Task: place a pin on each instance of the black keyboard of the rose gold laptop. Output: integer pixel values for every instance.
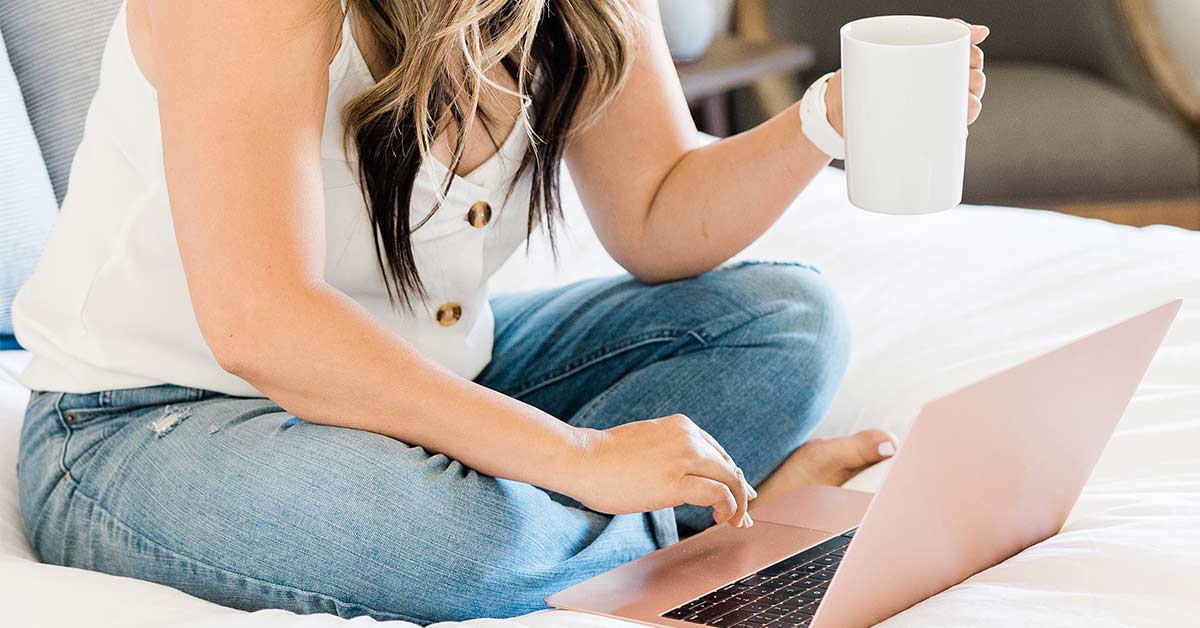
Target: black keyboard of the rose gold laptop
(784, 595)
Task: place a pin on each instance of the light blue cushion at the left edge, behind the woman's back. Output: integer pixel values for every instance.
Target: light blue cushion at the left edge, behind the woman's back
(27, 201)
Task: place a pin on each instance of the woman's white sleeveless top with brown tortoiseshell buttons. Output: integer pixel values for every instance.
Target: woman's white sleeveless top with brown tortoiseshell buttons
(107, 307)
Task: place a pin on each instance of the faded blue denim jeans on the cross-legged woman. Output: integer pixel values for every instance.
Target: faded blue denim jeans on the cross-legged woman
(238, 503)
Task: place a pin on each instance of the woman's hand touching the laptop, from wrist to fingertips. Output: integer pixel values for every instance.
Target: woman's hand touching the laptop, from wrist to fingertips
(657, 464)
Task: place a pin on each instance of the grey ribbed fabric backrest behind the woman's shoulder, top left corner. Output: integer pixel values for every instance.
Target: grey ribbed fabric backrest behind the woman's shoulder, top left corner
(56, 50)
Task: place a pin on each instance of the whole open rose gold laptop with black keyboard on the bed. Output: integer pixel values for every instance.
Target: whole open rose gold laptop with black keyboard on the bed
(985, 474)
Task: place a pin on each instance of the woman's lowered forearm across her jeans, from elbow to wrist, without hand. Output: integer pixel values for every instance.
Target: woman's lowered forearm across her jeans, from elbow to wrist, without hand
(350, 372)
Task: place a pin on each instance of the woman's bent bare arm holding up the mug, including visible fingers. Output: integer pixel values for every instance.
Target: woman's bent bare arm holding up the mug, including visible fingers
(667, 207)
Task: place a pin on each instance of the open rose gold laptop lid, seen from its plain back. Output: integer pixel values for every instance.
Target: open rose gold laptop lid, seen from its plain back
(989, 471)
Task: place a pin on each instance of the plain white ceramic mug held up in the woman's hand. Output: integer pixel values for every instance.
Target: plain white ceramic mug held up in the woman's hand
(905, 112)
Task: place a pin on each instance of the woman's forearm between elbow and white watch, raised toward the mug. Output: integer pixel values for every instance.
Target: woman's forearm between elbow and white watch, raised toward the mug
(721, 198)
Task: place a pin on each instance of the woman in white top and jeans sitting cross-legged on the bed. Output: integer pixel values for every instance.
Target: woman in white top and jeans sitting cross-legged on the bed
(268, 370)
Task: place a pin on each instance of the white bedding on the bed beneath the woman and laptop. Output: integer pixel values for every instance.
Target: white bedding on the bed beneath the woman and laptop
(935, 303)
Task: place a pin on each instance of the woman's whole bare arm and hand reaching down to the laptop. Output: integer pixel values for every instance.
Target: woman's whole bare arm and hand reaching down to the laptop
(242, 97)
